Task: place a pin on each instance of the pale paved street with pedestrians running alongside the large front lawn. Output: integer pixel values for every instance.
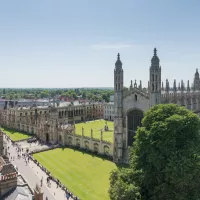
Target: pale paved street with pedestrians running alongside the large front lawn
(33, 174)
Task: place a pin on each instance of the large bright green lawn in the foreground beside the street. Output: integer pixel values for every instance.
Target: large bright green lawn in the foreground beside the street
(84, 175)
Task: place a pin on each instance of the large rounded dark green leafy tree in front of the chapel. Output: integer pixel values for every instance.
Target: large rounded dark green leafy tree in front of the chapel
(165, 157)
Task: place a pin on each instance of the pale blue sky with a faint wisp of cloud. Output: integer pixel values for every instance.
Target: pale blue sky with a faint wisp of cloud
(74, 43)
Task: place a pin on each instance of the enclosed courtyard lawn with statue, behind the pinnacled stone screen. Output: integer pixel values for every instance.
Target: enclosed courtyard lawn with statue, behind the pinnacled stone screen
(96, 126)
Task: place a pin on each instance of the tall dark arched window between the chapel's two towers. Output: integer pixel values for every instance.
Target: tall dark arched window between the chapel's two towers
(134, 117)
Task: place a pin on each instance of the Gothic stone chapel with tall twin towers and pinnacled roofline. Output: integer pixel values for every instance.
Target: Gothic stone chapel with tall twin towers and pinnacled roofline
(131, 103)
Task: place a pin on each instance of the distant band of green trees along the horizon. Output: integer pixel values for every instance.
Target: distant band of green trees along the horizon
(96, 94)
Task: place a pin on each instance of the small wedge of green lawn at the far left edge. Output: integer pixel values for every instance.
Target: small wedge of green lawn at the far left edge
(15, 135)
